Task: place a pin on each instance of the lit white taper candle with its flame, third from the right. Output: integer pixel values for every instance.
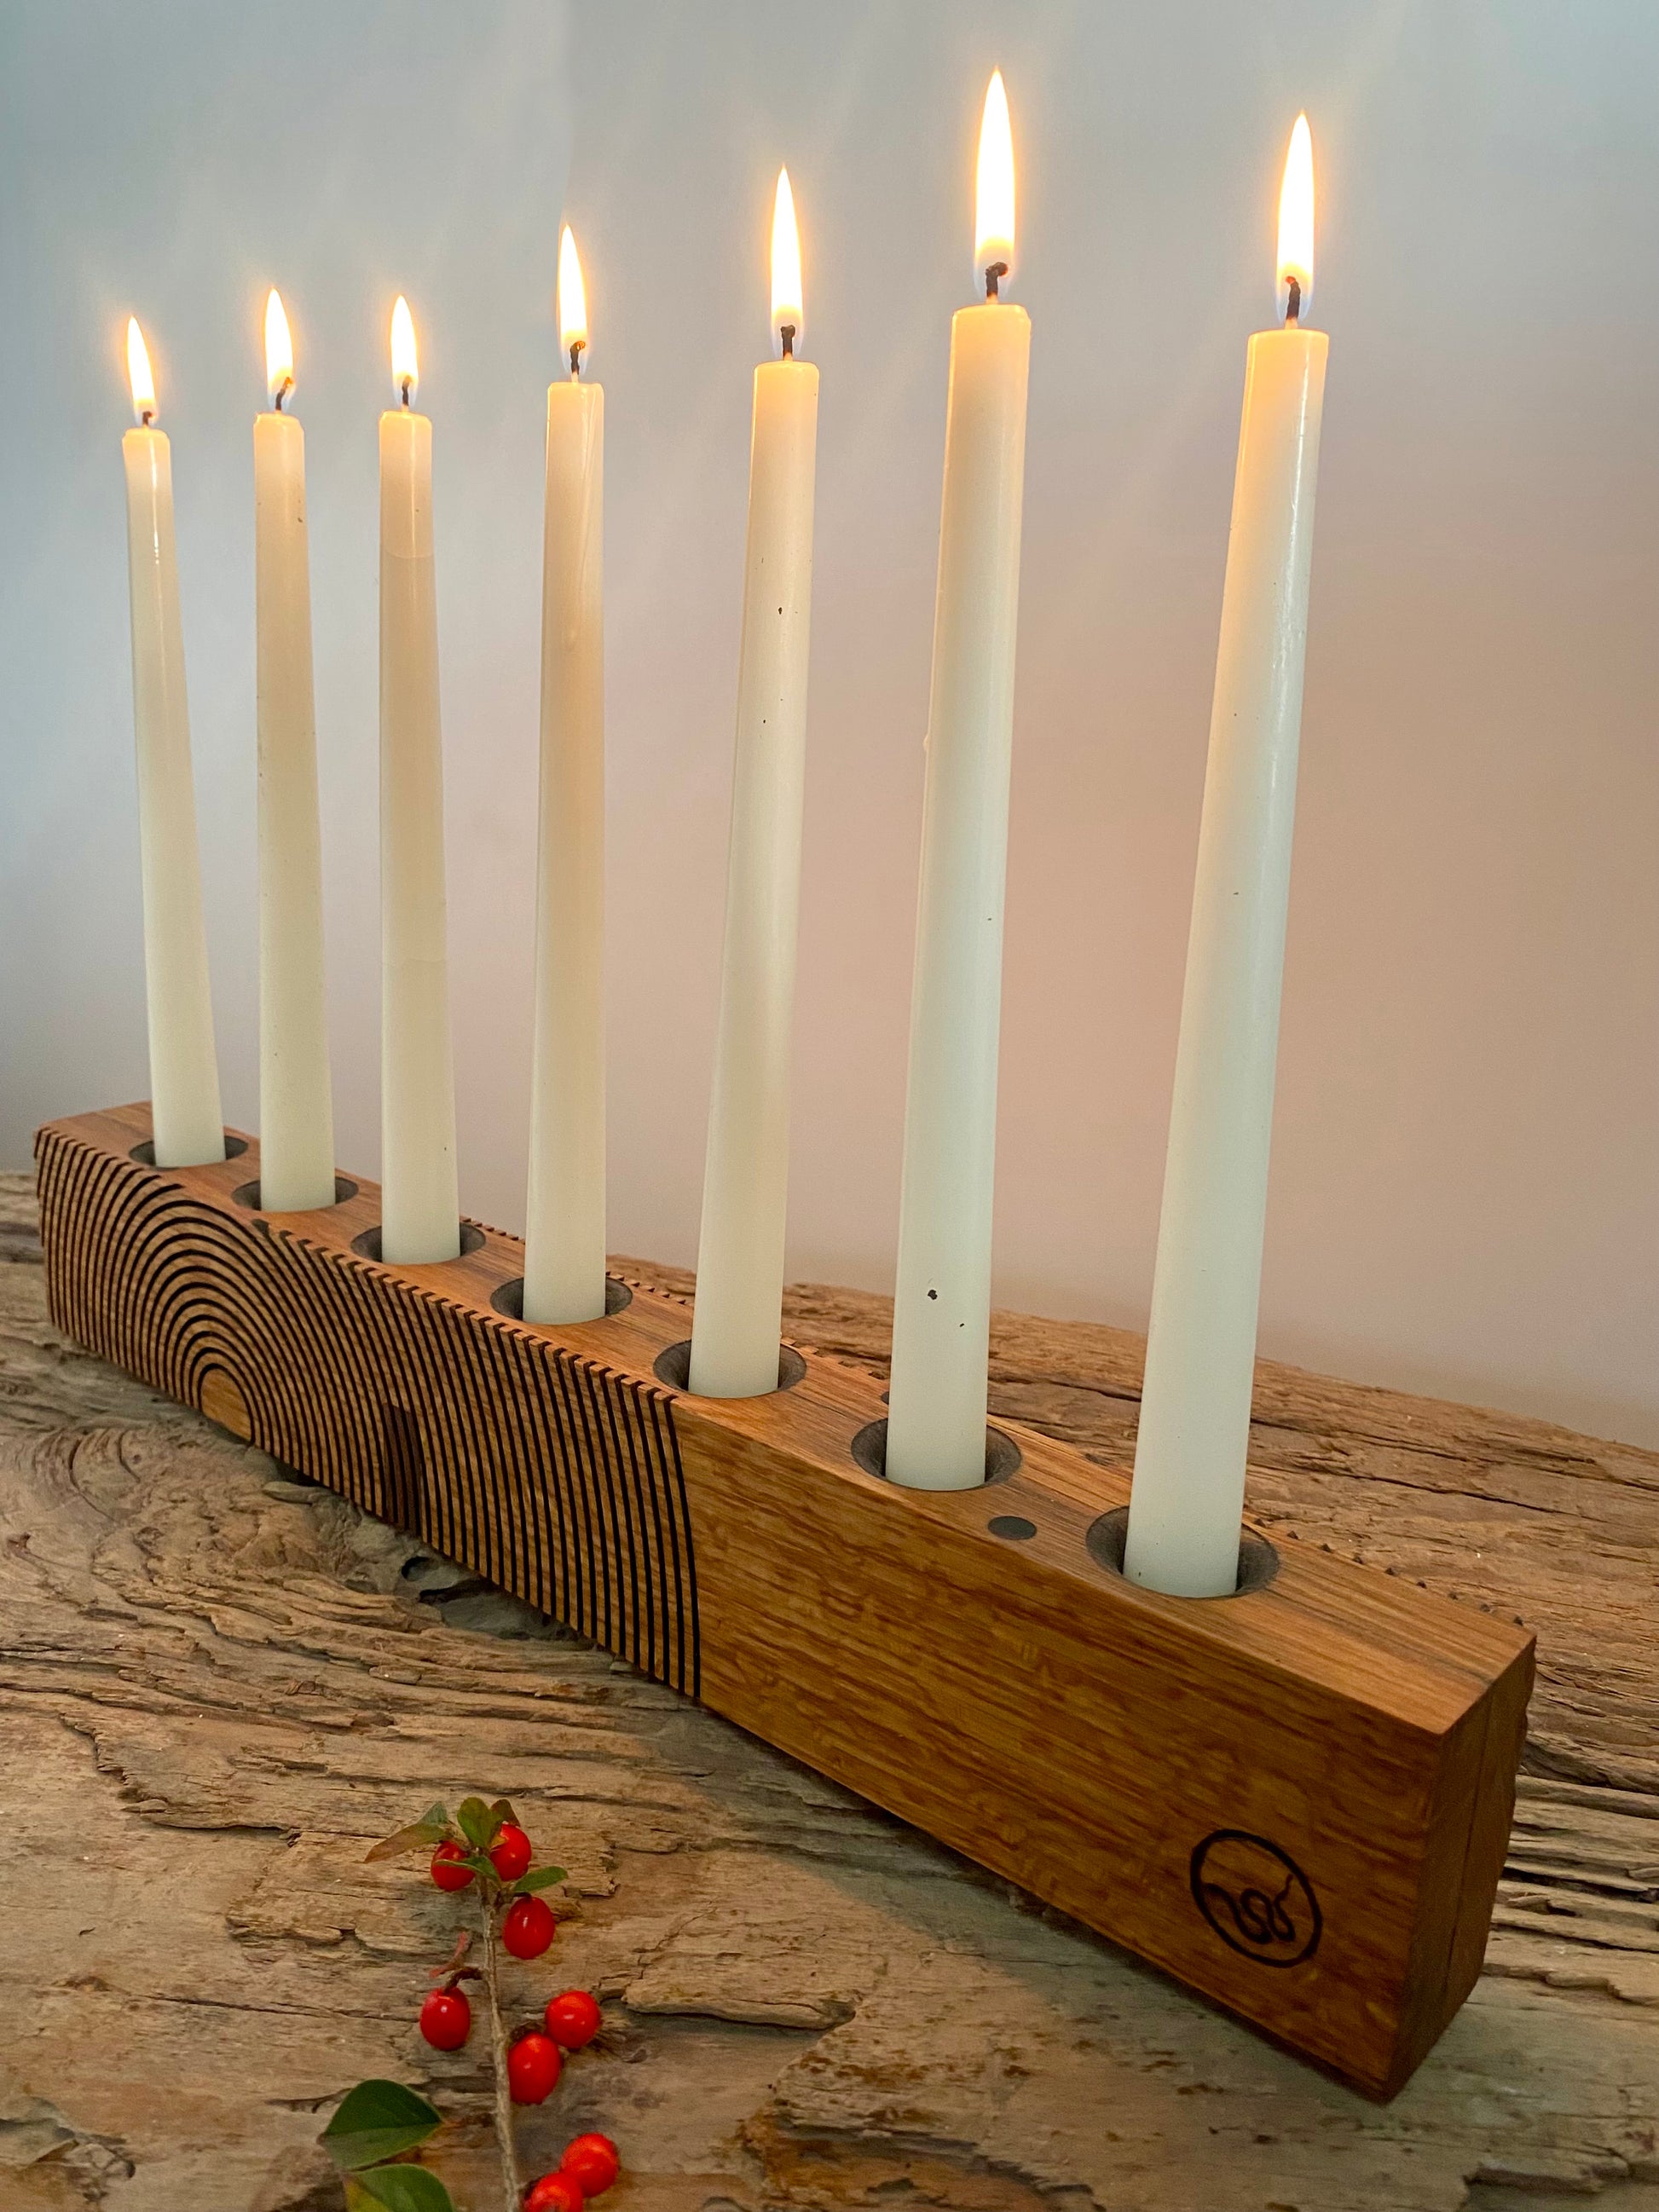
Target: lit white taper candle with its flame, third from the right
(747, 1178)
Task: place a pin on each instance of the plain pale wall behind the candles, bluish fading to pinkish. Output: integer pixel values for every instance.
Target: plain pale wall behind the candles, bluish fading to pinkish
(1468, 1147)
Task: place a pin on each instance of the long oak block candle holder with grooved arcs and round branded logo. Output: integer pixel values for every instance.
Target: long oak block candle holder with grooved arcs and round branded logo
(1295, 1799)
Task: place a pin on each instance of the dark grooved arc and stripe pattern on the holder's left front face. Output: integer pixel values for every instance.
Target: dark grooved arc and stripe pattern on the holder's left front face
(543, 1472)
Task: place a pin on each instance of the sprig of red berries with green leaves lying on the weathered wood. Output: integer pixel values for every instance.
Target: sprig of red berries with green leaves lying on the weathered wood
(379, 2125)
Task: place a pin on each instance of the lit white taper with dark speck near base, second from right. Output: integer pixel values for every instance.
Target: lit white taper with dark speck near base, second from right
(943, 1288)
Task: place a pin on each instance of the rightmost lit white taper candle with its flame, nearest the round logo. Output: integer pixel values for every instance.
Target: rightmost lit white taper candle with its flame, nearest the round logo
(1202, 1342)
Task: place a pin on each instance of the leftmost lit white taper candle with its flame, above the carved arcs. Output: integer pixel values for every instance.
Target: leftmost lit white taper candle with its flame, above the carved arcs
(185, 1070)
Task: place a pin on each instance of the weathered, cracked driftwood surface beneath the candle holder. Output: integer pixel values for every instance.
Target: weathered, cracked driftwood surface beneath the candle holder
(220, 1684)
